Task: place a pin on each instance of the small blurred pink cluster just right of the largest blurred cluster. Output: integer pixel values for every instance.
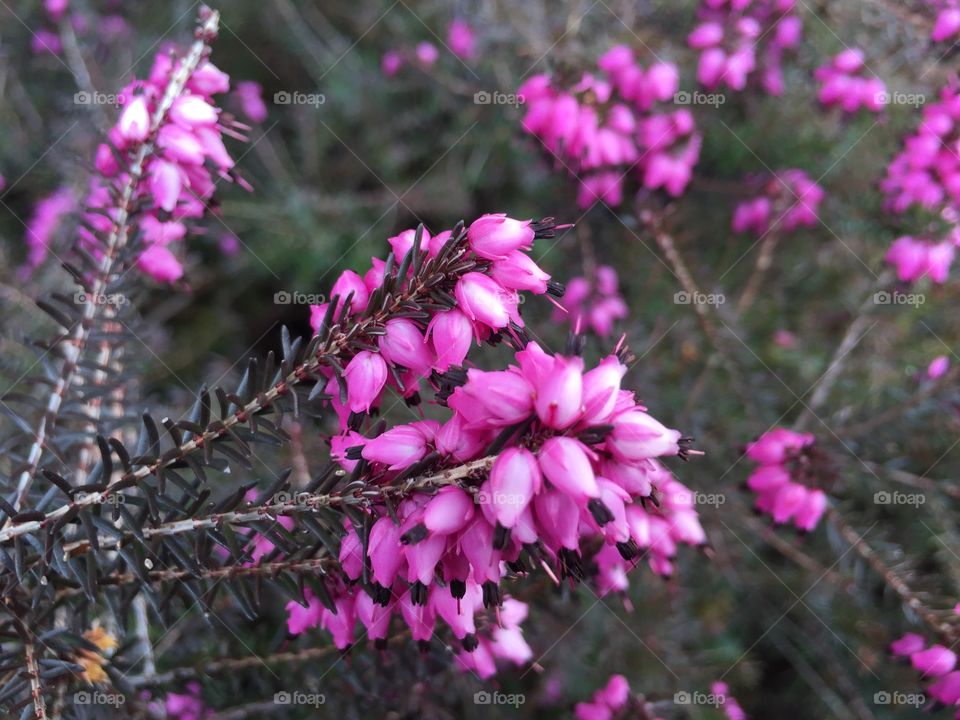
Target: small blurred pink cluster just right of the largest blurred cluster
(791, 197)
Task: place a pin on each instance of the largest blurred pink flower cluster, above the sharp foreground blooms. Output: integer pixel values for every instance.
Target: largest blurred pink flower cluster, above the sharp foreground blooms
(602, 128)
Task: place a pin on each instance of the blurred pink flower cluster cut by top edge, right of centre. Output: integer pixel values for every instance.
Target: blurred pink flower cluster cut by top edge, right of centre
(738, 37)
